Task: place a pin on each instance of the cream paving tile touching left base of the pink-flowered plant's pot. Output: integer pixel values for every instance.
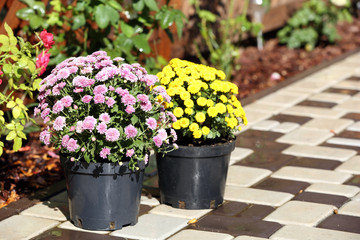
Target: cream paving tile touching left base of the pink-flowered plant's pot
(46, 210)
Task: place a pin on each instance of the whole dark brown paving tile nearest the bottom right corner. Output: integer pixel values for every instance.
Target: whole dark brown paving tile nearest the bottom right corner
(334, 200)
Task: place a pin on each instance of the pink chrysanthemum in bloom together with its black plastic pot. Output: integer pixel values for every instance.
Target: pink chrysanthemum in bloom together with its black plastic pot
(105, 116)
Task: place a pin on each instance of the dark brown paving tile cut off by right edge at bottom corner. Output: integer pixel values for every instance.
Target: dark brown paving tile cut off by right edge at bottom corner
(341, 223)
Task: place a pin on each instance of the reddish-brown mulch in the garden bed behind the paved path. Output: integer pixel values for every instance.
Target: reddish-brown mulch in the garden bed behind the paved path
(36, 166)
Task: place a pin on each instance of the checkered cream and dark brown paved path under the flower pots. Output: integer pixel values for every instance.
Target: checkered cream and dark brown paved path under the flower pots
(294, 175)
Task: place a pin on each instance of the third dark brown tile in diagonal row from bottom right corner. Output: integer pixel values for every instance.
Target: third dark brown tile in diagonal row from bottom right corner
(280, 185)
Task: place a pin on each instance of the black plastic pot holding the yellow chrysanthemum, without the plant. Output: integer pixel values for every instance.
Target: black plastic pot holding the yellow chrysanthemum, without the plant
(194, 177)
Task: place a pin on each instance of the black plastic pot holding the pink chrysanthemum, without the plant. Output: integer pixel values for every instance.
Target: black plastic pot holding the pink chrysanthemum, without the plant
(102, 196)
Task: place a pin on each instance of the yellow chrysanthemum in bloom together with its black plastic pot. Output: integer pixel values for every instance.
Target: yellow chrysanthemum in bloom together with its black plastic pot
(208, 115)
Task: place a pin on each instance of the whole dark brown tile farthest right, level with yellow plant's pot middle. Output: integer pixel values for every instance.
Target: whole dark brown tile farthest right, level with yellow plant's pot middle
(314, 163)
